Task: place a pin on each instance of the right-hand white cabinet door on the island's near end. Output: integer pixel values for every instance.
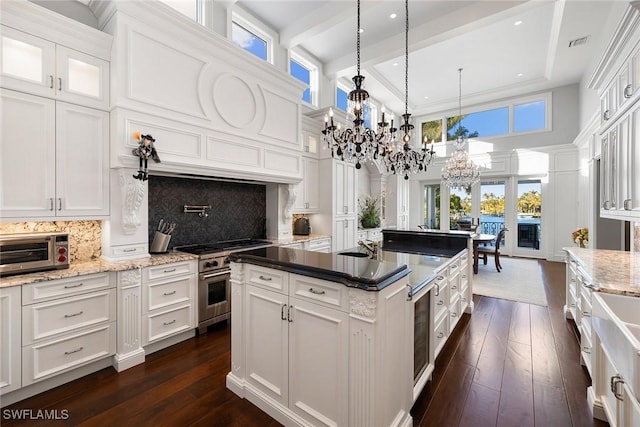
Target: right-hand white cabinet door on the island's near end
(318, 363)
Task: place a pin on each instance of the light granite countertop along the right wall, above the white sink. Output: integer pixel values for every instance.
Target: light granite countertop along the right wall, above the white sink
(615, 272)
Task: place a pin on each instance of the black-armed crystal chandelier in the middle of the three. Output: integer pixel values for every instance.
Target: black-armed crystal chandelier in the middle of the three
(400, 157)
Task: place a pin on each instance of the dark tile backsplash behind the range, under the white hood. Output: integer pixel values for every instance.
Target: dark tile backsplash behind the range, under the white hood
(237, 209)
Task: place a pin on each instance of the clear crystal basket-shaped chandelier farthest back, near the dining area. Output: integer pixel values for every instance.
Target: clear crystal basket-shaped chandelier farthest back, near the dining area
(460, 171)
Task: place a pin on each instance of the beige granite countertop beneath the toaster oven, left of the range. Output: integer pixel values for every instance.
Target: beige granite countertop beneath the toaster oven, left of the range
(94, 266)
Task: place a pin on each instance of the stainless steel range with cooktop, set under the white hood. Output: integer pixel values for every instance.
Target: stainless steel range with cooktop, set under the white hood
(214, 287)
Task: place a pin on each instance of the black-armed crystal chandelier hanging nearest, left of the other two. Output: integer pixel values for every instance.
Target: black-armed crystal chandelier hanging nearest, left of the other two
(357, 143)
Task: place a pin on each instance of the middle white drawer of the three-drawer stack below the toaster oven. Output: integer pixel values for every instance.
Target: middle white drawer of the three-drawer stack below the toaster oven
(44, 320)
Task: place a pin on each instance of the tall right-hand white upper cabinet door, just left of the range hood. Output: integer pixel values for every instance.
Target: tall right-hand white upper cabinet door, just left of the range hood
(82, 161)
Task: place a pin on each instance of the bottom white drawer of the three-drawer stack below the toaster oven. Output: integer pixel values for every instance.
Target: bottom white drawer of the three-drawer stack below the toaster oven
(43, 360)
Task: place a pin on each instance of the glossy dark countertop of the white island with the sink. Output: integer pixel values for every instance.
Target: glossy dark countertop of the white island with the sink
(371, 274)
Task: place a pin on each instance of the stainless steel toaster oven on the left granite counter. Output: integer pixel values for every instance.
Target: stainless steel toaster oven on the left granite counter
(31, 252)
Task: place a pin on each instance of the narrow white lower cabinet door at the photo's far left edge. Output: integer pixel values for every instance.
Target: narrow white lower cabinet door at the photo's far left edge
(10, 340)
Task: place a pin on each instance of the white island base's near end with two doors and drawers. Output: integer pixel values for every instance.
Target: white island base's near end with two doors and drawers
(318, 353)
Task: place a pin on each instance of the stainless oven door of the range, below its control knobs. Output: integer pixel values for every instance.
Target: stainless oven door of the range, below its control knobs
(214, 297)
